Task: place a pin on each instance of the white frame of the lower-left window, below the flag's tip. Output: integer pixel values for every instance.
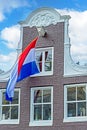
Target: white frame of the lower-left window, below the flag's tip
(9, 121)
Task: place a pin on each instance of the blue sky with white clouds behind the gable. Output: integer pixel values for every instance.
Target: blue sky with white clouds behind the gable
(13, 11)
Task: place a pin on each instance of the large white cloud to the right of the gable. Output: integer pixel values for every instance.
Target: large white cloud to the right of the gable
(78, 34)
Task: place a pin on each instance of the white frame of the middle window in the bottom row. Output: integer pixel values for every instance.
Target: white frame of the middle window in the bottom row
(41, 122)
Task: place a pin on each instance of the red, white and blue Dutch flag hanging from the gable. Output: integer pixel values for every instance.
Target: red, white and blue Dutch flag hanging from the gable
(24, 67)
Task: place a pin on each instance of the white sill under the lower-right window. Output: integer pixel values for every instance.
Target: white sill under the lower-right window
(75, 119)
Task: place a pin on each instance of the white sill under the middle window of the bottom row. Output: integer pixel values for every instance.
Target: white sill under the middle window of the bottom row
(41, 123)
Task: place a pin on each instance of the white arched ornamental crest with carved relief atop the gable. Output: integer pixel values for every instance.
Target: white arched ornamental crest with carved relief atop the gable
(43, 17)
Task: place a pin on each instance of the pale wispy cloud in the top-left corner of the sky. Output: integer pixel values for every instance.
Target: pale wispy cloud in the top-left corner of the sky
(6, 6)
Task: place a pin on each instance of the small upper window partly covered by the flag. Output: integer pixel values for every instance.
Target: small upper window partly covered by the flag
(44, 59)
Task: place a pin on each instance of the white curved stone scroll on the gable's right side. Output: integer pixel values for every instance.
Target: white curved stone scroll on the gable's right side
(70, 68)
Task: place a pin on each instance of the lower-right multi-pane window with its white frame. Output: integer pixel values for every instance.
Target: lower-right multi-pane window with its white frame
(75, 102)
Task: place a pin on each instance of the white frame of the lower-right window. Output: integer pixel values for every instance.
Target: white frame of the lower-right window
(76, 118)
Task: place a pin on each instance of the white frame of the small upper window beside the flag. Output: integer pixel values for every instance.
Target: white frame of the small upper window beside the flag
(44, 73)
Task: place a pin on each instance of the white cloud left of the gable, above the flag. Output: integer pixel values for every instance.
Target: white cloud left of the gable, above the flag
(10, 37)
